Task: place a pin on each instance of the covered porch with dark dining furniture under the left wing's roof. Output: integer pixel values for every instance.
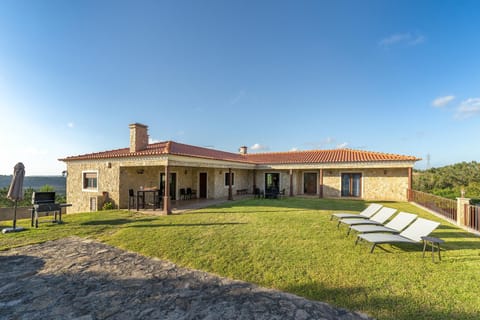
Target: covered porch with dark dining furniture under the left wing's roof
(175, 186)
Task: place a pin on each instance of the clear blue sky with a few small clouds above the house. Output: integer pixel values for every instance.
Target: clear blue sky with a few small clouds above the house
(390, 76)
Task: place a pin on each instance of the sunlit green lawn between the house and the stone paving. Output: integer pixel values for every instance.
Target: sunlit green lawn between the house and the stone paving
(291, 245)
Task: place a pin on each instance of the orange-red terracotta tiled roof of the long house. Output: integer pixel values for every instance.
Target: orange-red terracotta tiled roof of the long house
(292, 157)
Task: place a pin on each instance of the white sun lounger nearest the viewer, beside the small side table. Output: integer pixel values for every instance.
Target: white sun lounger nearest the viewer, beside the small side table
(413, 234)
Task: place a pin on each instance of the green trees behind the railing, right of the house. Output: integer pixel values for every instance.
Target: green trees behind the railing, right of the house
(449, 181)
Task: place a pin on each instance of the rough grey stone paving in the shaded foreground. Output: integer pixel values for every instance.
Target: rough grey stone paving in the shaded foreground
(73, 278)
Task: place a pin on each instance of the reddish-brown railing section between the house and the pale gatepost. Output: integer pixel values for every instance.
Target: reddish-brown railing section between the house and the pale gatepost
(442, 206)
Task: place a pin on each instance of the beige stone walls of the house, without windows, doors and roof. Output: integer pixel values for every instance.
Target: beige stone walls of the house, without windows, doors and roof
(116, 177)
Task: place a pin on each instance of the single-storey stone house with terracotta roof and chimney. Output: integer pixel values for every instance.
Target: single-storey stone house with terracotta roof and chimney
(173, 167)
